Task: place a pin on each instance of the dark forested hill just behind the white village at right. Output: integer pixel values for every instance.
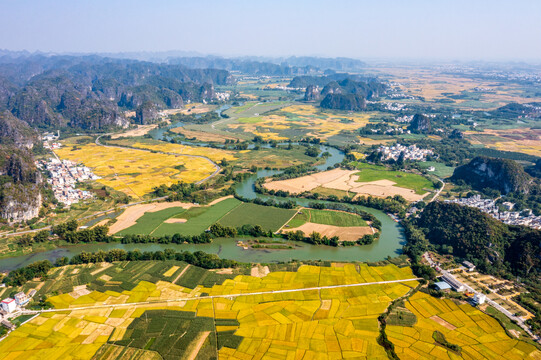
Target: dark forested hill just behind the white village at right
(500, 174)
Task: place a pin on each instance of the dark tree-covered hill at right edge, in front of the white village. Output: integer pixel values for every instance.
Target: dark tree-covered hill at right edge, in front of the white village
(490, 244)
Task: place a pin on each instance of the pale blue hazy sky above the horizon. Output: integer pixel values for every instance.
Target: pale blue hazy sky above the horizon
(435, 29)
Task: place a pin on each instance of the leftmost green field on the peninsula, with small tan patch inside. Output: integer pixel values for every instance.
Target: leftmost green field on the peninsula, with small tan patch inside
(199, 219)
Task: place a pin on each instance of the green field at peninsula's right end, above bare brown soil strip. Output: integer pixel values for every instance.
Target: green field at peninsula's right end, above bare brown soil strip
(326, 217)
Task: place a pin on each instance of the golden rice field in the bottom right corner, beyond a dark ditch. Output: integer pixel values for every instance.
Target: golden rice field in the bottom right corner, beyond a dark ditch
(479, 335)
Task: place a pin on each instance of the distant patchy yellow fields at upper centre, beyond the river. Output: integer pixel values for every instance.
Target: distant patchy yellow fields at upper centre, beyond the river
(316, 121)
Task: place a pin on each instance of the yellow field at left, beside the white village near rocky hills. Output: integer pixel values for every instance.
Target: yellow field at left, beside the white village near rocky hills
(136, 172)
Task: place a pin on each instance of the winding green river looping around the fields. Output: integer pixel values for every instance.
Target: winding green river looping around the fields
(389, 243)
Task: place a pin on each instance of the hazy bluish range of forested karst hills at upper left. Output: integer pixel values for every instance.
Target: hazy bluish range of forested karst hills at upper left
(92, 92)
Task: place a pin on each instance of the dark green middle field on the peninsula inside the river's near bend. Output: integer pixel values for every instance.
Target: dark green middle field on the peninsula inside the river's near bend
(268, 217)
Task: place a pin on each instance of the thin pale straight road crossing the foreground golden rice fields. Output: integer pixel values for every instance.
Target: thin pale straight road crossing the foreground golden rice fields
(229, 296)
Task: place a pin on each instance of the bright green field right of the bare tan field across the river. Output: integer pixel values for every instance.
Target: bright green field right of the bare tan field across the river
(403, 179)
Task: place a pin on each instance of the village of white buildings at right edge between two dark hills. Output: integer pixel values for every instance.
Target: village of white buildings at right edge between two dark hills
(525, 218)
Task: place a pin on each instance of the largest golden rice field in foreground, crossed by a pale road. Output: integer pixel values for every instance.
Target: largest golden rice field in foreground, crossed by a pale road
(327, 324)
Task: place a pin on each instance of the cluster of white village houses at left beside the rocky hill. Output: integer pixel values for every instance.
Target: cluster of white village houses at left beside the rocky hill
(63, 177)
